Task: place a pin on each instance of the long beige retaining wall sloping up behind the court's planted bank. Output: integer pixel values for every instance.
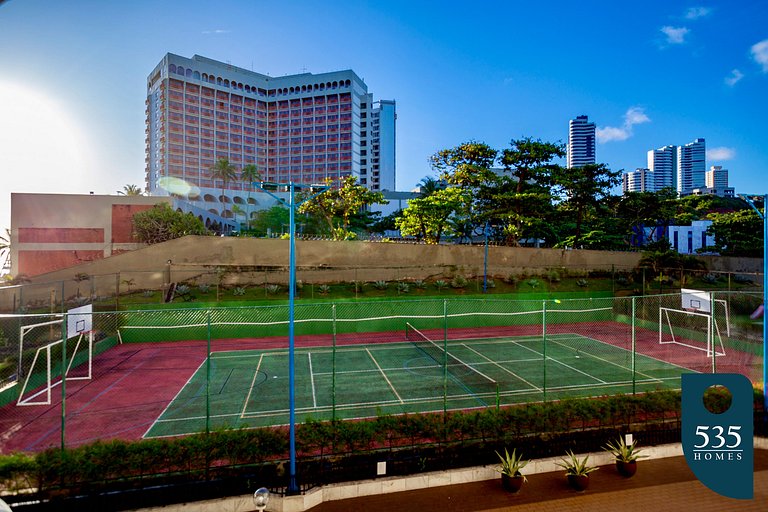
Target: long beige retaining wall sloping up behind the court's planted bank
(193, 257)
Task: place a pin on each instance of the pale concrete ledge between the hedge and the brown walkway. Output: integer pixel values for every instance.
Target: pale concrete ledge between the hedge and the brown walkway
(385, 485)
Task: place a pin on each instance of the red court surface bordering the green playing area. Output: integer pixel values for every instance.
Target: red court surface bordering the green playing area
(133, 383)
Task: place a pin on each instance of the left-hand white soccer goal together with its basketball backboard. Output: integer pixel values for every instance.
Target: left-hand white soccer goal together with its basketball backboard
(71, 356)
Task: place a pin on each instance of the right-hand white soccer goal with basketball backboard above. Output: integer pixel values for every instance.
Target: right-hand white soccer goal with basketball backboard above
(699, 324)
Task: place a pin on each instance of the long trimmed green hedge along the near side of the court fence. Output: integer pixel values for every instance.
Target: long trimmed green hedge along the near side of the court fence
(121, 465)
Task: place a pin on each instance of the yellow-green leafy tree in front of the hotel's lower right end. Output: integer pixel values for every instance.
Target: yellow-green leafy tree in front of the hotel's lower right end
(341, 206)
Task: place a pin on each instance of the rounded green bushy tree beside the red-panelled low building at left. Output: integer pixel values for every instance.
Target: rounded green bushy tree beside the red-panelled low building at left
(162, 223)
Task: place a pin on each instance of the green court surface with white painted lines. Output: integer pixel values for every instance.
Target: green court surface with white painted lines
(250, 388)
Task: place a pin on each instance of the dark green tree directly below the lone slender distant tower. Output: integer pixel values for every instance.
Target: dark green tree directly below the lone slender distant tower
(584, 189)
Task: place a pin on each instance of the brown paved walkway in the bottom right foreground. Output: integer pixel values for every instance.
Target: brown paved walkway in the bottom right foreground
(659, 485)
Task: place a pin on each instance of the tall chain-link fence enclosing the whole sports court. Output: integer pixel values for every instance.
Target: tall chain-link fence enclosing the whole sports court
(171, 372)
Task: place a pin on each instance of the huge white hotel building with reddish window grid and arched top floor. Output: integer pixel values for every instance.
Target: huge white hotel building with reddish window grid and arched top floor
(303, 128)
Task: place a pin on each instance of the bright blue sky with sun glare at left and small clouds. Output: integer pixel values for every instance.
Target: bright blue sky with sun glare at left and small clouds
(73, 76)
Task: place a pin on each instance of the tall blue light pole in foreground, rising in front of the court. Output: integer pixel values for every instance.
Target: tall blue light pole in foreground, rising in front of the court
(290, 188)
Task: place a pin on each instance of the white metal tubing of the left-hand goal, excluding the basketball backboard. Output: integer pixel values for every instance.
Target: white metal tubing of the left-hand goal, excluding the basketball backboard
(51, 380)
